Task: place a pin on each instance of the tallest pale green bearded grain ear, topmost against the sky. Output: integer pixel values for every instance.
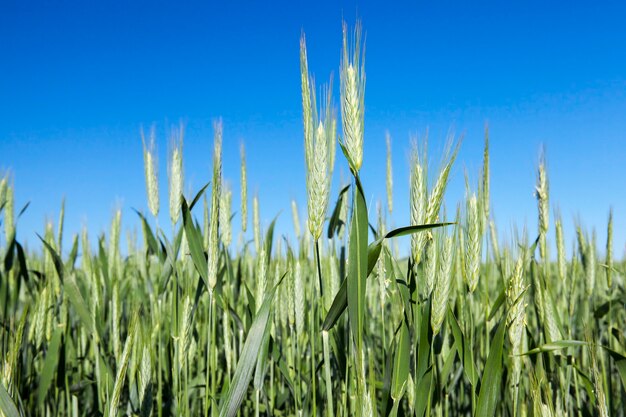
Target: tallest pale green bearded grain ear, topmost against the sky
(352, 96)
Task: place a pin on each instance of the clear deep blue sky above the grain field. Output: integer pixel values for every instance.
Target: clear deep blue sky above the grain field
(78, 79)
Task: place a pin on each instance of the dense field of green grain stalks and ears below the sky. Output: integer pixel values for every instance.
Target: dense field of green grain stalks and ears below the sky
(333, 322)
